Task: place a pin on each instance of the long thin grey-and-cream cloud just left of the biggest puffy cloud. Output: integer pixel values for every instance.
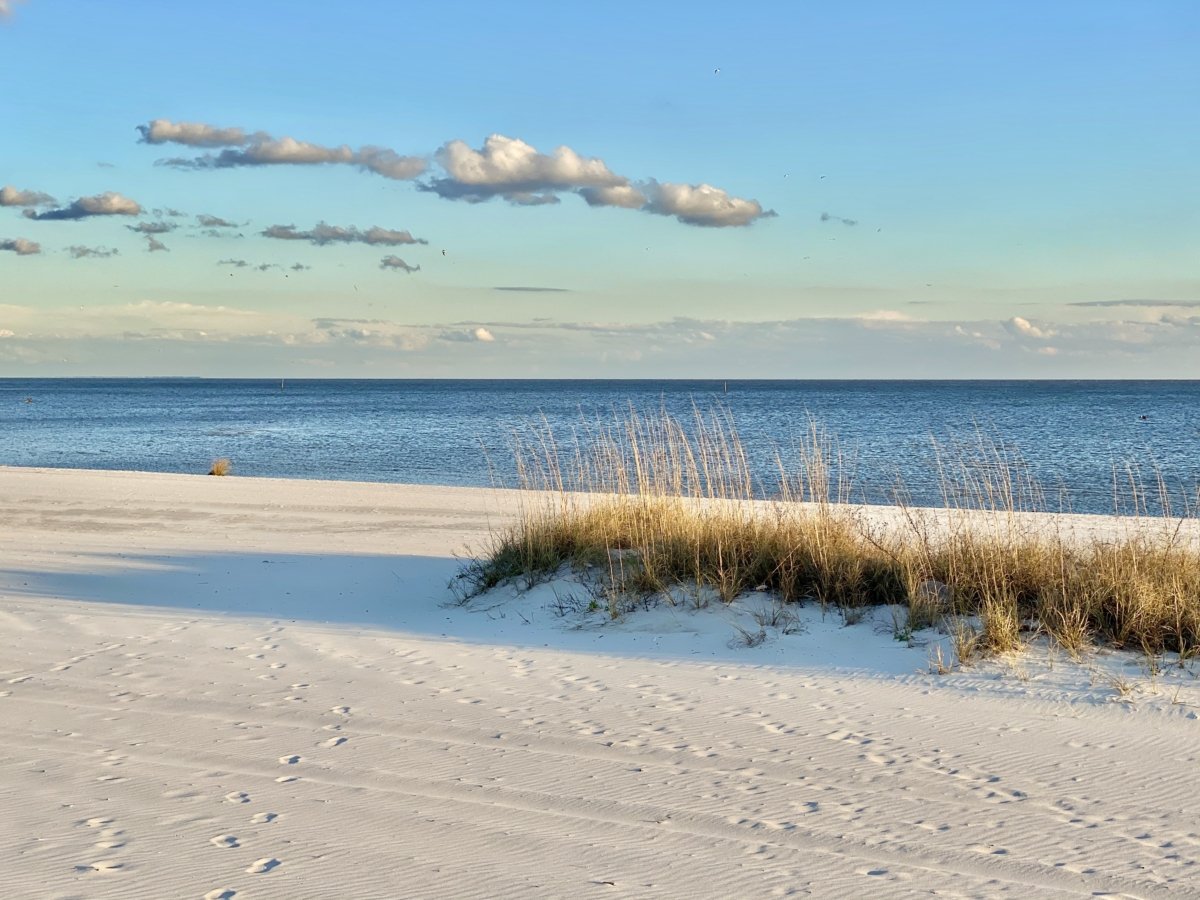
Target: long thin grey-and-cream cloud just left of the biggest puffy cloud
(262, 149)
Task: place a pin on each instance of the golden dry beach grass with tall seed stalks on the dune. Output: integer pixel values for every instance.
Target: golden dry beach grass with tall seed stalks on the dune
(649, 506)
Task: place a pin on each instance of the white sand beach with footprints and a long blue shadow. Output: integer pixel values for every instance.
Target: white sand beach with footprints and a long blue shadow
(253, 688)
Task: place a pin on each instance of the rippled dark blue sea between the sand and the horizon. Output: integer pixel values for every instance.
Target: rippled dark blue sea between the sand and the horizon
(1071, 436)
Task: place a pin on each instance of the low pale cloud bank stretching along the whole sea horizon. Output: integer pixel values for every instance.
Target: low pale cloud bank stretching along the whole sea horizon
(139, 338)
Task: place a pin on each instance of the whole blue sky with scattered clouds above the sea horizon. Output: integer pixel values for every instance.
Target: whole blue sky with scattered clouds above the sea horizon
(548, 190)
